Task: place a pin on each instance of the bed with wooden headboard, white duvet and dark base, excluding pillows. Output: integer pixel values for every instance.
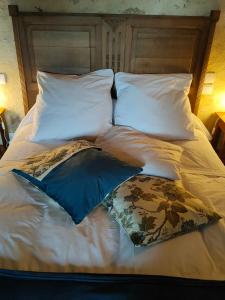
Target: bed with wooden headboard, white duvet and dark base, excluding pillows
(100, 261)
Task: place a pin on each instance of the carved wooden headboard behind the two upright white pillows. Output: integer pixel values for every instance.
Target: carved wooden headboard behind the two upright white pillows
(80, 43)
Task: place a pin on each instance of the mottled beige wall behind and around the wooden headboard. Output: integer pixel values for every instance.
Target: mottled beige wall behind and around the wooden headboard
(10, 94)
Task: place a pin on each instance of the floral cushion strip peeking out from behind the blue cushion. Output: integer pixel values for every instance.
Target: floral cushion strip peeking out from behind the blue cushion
(40, 165)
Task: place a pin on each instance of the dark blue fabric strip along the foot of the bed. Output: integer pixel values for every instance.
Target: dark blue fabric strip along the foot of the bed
(20, 285)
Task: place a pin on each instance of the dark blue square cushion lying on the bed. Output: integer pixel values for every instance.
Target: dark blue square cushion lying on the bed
(82, 182)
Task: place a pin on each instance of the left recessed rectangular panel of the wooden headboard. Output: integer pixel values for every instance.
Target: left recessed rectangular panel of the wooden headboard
(59, 51)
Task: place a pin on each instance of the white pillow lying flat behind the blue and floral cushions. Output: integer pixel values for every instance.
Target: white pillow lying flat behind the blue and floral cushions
(158, 158)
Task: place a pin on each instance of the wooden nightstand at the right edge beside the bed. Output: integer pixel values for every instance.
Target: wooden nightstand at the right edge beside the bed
(218, 141)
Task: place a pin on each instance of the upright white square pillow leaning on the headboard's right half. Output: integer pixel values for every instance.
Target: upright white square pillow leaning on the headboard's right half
(155, 104)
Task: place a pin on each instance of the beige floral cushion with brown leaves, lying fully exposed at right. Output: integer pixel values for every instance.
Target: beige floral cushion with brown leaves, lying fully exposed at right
(153, 209)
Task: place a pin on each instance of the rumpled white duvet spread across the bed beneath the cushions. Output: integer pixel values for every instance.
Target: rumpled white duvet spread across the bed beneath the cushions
(36, 234)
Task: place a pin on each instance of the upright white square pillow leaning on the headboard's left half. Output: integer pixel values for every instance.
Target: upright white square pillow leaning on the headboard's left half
(70, 106)
